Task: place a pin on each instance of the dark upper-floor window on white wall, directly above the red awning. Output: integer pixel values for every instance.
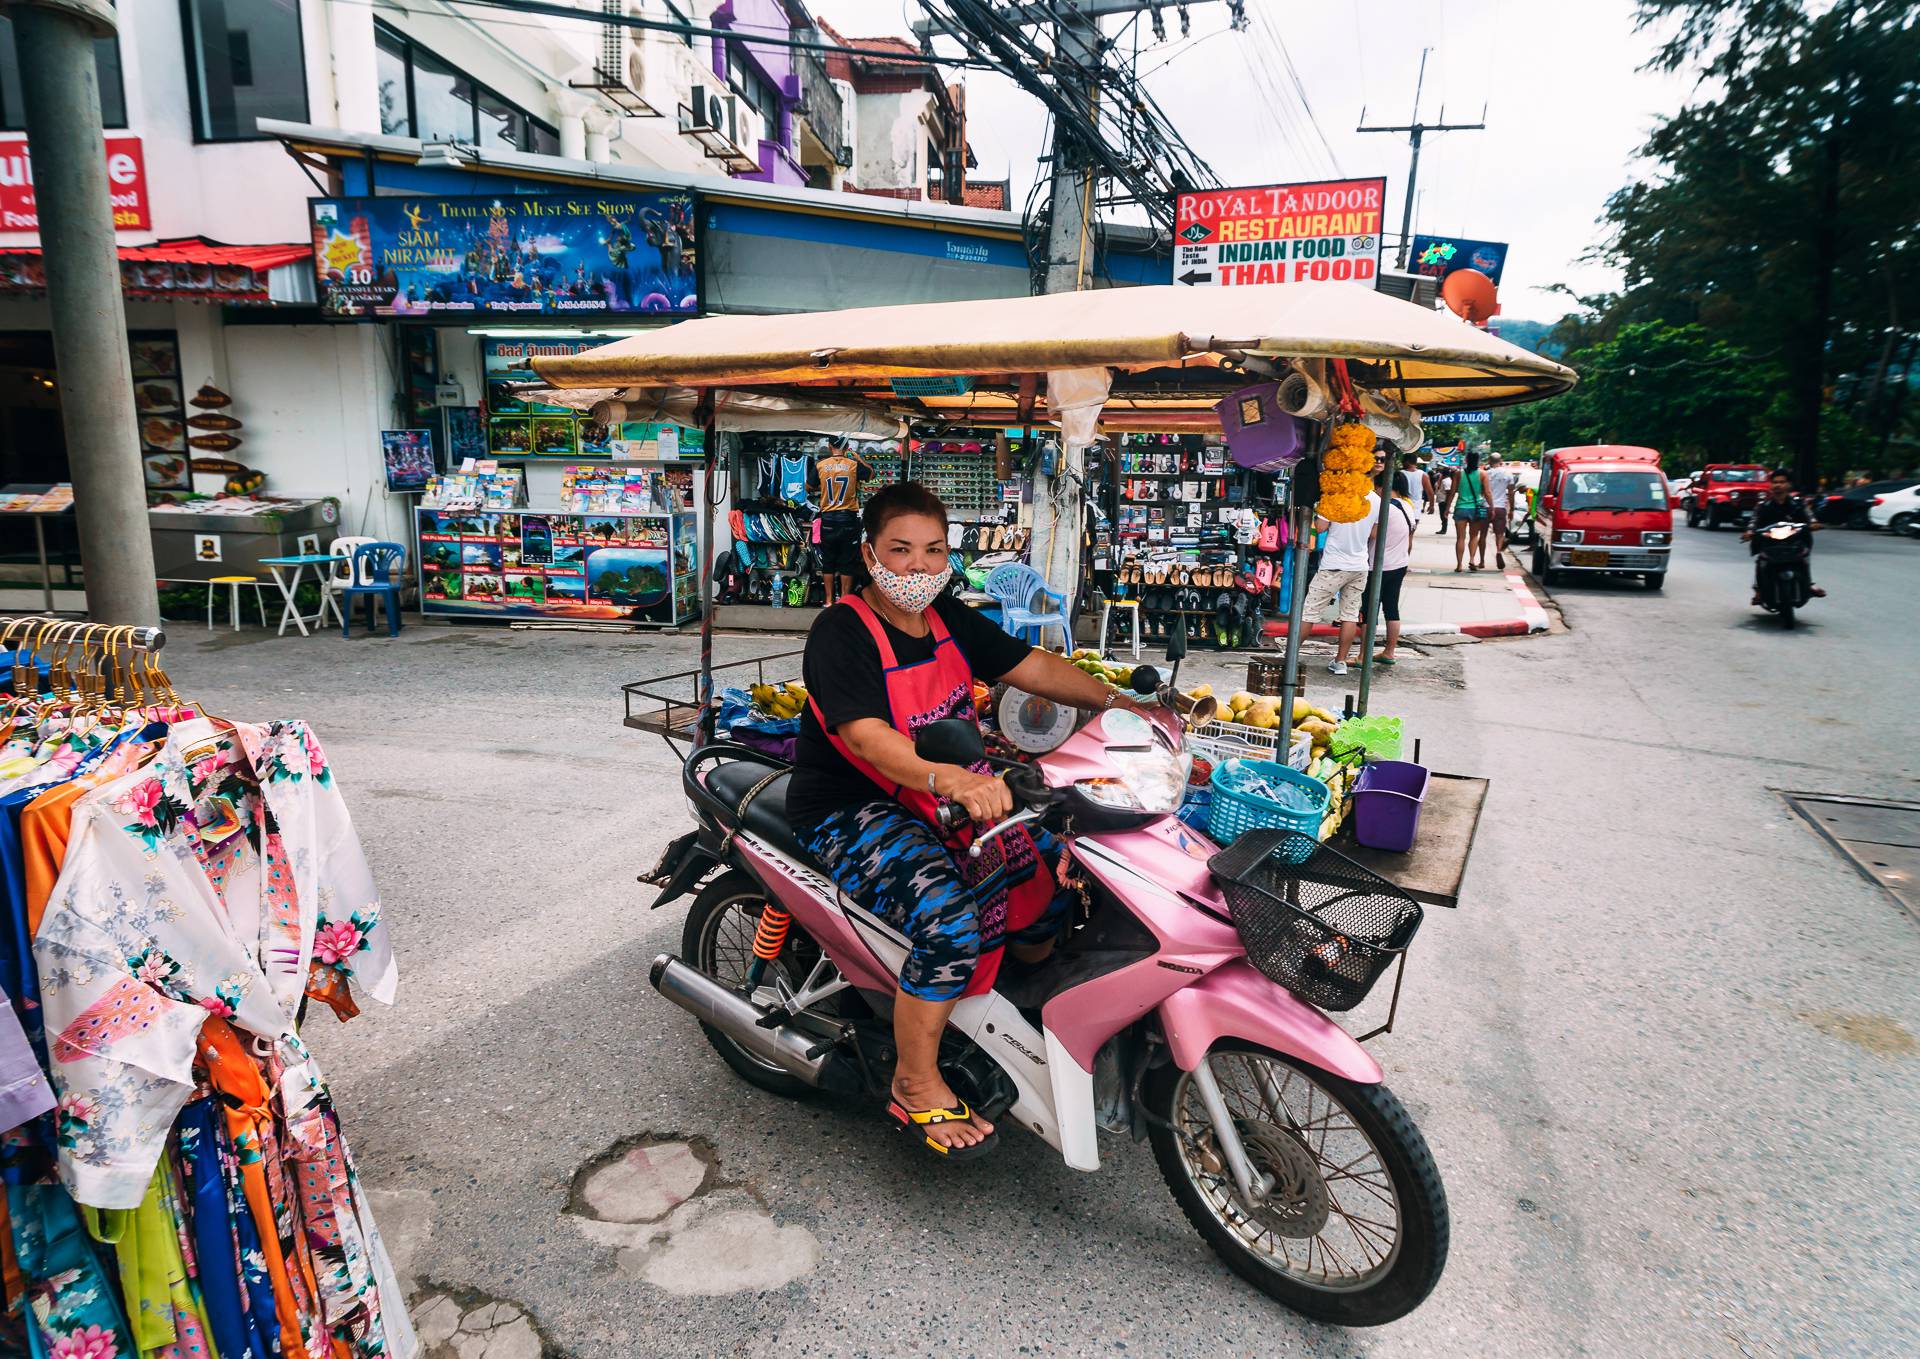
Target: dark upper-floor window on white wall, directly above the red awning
(247, 62)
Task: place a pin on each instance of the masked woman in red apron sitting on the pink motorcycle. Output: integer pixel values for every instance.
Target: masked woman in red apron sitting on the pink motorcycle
(880, 665)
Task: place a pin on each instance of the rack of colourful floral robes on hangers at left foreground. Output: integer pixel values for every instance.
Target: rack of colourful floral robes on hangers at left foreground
(183, 894)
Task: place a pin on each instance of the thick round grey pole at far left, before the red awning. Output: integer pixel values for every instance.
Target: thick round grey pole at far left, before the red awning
(60, 93)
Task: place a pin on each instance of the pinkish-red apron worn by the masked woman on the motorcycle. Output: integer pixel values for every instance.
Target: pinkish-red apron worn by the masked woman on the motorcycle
(1009, 880)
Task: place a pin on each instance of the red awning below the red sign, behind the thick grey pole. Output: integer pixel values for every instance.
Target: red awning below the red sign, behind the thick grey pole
(191, 268)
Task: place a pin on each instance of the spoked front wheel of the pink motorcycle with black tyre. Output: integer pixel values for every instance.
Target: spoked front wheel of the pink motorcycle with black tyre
(1355, 1229)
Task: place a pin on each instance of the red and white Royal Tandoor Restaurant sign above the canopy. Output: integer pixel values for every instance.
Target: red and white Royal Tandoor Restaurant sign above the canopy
(1282, 233)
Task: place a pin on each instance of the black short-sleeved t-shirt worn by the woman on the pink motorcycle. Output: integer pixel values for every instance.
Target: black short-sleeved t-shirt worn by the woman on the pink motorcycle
(844, 677)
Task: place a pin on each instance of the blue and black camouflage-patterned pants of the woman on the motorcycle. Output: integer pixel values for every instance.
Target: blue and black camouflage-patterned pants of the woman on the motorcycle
(894, 865)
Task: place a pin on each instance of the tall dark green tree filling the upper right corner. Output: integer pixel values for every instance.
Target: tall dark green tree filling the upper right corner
(1785, 214)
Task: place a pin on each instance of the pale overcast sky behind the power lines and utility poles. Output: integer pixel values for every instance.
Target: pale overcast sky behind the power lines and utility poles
(1566, 110)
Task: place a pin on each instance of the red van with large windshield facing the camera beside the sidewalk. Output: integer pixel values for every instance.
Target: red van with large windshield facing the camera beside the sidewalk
(1602, 512)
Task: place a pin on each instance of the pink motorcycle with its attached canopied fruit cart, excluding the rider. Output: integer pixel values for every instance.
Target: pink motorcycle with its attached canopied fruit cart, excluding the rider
(1201, 972)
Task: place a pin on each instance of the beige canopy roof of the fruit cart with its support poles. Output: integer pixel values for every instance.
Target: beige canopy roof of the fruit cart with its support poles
(1276, 362)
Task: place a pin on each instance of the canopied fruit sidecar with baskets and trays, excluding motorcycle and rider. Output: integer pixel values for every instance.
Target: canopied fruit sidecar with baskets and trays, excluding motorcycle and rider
(1308, 377)
